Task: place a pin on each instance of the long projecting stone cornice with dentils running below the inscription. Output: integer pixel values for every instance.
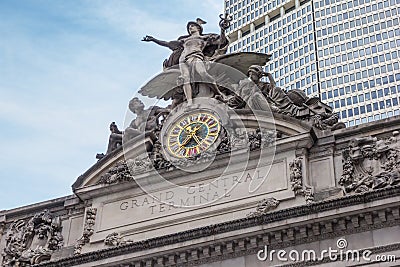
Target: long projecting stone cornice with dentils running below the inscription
(379, 219)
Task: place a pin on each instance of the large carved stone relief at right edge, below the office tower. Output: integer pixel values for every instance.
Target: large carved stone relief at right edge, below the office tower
(370, 163)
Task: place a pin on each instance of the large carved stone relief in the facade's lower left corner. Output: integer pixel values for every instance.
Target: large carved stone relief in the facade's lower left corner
(32, 241)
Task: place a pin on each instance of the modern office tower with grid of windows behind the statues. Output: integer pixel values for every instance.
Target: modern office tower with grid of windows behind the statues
(346, 52)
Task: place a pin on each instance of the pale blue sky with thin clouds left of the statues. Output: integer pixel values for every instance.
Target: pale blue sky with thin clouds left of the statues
(68, 69)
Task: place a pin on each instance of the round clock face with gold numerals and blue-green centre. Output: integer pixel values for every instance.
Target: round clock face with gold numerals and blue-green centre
(193, 134)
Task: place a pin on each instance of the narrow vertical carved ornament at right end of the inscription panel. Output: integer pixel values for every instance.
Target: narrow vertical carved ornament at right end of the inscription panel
(296, 180)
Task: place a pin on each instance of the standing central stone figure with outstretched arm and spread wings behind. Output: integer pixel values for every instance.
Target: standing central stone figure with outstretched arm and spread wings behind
(198, 65)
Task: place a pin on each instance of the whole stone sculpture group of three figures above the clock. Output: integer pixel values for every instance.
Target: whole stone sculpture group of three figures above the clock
(193, 70)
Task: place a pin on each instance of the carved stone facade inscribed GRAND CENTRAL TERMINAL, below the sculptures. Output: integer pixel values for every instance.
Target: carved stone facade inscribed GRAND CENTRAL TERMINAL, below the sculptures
(124, 225)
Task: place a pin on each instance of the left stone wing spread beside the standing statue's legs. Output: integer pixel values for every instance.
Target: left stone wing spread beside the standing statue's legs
(162, 86)
